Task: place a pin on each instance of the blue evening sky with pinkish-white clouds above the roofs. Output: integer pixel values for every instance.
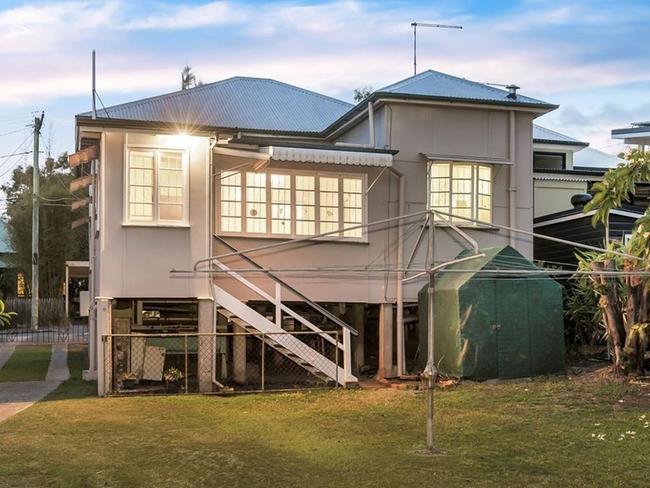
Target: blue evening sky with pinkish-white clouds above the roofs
(590, 57)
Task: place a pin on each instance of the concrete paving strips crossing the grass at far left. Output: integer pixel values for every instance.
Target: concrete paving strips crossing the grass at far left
(19, 395)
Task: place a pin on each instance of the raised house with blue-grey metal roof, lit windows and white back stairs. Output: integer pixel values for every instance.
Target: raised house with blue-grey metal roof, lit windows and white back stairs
(244, 163)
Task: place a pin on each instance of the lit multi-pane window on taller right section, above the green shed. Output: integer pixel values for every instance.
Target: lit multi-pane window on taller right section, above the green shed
(461, 189)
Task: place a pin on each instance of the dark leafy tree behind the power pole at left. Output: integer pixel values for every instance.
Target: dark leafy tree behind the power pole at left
(58, 243)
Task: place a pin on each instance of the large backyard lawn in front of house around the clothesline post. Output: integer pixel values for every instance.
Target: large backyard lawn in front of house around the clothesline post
(521, 433)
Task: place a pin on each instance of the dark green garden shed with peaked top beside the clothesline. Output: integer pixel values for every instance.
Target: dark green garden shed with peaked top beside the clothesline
(490, 325)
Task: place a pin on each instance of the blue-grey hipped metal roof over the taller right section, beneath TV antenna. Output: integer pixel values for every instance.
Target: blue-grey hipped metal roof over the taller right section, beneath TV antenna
(433, 84)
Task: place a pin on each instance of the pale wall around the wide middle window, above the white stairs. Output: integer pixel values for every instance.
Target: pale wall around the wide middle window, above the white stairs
(322, 287)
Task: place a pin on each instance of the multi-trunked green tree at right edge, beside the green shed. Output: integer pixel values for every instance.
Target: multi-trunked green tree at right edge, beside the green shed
(624, 299)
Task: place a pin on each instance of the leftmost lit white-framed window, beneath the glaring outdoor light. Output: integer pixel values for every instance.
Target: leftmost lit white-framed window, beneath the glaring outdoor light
(156, 187)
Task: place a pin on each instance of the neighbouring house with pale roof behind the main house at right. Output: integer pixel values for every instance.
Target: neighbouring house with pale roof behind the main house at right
(563, 167)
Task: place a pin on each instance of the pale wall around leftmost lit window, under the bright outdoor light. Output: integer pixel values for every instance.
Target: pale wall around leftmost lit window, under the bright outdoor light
(135, 260)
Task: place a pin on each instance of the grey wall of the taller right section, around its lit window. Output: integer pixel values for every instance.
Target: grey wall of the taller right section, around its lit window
(460, 133)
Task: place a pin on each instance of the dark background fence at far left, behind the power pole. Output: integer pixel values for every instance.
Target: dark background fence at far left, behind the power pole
(54, 325)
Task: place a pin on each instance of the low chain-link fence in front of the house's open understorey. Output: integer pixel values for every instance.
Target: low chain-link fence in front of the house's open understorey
(221, 362)
